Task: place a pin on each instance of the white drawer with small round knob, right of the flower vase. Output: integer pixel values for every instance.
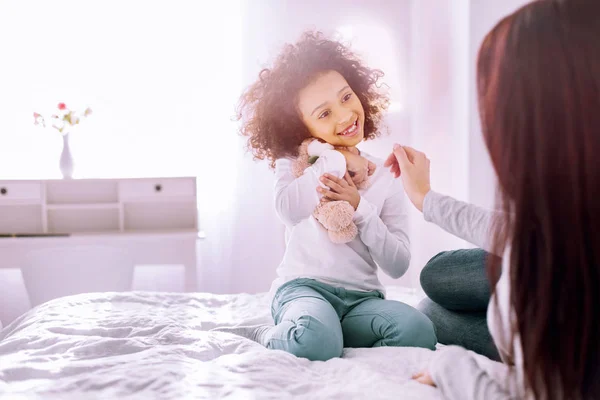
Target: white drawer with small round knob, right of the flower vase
(156, 189)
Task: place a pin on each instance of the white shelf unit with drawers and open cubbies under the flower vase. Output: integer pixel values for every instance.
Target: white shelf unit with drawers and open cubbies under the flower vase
(98, 206)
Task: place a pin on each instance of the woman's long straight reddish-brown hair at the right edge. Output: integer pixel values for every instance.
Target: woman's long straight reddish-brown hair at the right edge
(539, 97)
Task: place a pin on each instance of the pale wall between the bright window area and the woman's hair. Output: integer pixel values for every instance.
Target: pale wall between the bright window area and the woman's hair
(446, 35)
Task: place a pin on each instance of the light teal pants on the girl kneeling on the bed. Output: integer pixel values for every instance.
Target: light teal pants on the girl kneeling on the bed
(316, 321)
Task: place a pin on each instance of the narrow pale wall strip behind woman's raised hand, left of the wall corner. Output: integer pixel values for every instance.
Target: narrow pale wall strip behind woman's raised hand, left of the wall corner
(438, 107)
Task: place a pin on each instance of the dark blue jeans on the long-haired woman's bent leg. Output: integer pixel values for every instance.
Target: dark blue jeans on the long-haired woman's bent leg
(459, 293)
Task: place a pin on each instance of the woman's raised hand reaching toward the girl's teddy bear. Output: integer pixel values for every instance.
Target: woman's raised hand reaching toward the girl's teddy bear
(413, 167)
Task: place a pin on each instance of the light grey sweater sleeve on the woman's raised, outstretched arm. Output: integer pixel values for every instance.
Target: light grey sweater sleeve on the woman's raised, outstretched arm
(466, 221)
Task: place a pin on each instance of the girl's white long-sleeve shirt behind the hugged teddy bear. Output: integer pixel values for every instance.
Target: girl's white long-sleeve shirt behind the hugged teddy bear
(380, 217)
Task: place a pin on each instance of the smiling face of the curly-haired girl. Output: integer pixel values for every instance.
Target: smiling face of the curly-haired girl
(331, 110)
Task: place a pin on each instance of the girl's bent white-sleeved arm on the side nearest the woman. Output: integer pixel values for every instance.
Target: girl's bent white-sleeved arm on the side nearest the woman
(385, 234)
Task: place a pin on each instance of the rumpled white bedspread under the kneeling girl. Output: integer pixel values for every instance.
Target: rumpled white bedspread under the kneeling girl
(156, 346)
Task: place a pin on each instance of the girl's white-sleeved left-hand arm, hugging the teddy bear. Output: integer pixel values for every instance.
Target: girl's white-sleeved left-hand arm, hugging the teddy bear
(296, 198)
